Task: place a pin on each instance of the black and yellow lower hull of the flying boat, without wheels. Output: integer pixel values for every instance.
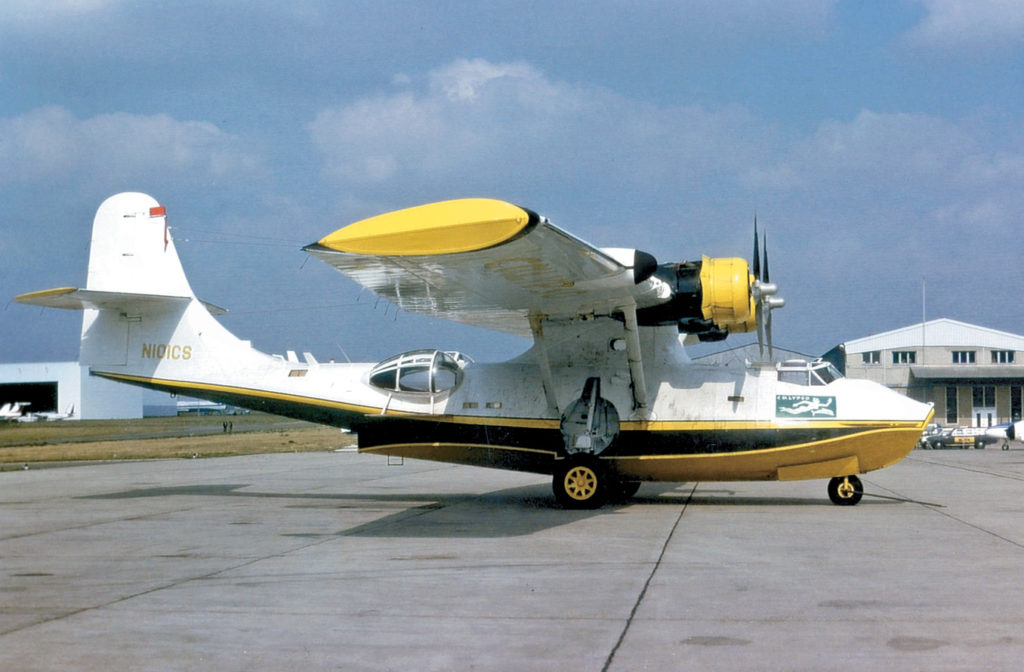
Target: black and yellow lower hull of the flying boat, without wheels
(742, 450)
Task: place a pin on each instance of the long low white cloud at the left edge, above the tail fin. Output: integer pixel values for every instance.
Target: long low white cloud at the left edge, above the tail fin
(52, 145)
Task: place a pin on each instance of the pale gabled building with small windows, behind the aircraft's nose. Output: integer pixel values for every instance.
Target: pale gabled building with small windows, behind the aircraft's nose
(972, 374)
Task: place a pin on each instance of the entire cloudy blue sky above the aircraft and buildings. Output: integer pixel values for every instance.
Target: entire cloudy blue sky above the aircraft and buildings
(881, 145)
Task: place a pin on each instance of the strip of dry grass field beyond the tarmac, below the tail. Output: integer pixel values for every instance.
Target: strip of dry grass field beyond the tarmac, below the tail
(185, 437)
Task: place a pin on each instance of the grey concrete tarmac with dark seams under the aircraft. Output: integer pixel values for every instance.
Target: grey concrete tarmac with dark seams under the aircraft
(342, 562)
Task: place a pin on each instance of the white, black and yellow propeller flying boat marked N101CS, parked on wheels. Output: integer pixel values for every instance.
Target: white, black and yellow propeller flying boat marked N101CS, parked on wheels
(605, 400)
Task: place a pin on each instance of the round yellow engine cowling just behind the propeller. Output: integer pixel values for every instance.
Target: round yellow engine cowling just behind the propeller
(727, 297)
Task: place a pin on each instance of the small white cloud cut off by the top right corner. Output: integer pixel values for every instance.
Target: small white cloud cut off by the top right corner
(974, 25)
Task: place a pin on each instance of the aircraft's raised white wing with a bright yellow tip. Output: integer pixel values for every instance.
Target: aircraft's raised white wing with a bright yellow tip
(489, 264)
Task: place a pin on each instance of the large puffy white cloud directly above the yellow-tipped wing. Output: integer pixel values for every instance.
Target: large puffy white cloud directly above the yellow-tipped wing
(508, 123)
